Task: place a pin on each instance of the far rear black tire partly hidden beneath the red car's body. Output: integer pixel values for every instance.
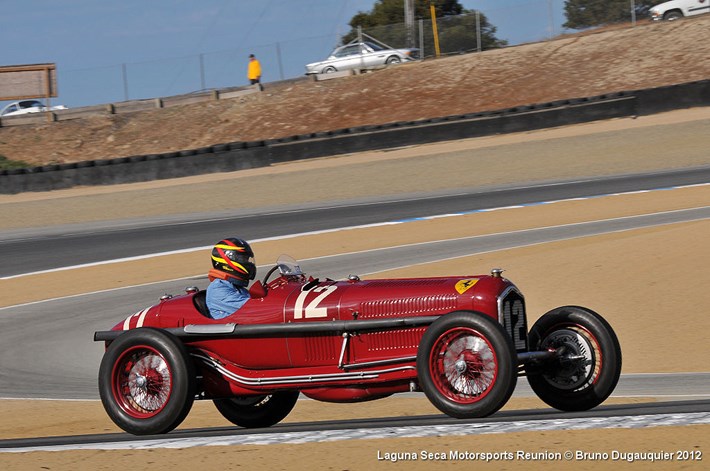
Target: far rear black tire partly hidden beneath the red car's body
(257, 411)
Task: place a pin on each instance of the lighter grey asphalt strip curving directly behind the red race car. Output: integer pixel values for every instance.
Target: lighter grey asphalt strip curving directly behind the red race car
(64, 327)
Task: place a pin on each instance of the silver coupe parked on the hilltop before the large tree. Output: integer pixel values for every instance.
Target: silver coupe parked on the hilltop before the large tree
(363, 55)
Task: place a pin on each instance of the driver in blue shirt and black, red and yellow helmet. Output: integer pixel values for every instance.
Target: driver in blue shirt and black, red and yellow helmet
(233, 267)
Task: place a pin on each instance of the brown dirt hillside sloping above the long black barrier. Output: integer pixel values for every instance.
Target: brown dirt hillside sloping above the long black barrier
(648, 55)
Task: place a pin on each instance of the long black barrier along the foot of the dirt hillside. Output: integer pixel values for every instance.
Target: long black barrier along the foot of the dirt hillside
(242, 155)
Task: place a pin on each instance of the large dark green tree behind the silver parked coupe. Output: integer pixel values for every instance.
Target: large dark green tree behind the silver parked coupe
(456, 25)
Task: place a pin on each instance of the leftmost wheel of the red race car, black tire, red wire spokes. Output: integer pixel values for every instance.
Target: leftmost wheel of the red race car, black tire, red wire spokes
(147, 381)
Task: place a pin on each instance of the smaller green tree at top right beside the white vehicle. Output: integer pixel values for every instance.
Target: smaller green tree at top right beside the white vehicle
(586, 13)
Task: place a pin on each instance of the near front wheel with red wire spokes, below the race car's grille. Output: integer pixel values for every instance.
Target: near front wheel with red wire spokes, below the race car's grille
(467, 365)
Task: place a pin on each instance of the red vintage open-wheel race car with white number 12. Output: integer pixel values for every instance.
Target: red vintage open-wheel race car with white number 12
(462, 340)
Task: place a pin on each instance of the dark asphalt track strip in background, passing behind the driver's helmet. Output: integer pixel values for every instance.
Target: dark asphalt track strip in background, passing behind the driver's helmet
(81, 244)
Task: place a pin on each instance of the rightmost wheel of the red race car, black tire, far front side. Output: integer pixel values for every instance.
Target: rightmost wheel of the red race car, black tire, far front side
(584, 383)
